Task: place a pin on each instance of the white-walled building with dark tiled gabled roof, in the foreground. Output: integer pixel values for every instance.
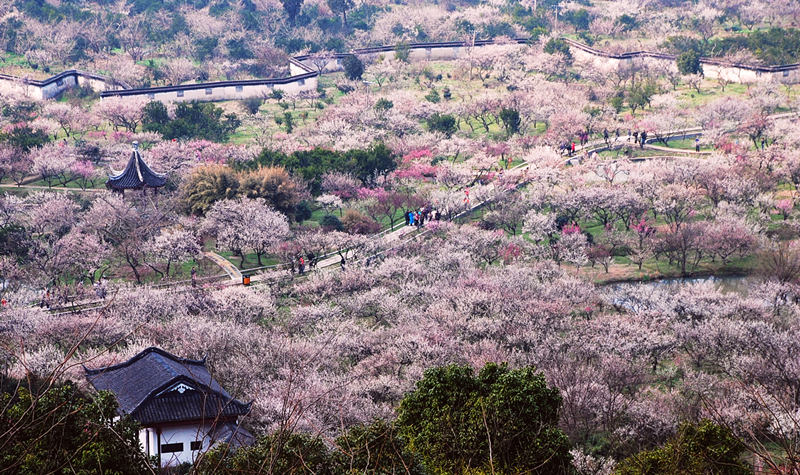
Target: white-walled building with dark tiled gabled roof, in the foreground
(181, 409)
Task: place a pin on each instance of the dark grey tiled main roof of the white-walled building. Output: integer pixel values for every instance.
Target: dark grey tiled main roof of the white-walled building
(144, 387)
